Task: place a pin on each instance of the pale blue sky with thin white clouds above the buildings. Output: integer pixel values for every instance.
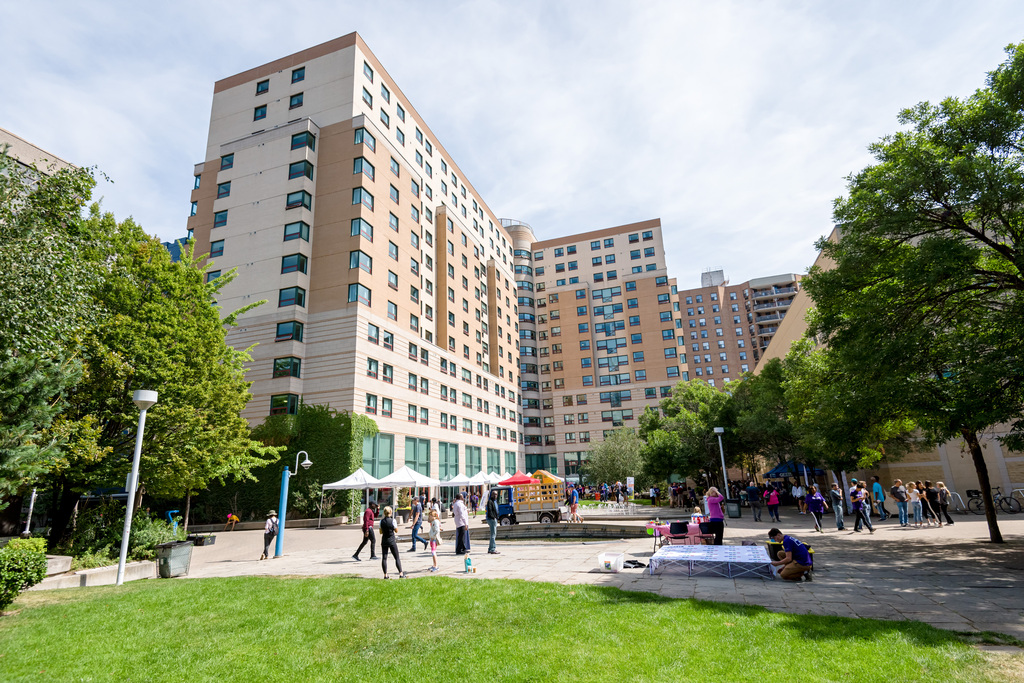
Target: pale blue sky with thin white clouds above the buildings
(735, 122)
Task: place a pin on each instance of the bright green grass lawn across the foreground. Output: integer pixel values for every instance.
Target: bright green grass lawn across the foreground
(442, 629)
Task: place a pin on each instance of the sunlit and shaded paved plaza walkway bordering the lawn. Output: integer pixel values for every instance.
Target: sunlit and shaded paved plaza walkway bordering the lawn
(951, 578)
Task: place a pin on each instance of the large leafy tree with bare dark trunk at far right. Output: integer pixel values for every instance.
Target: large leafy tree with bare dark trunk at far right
(925, 308)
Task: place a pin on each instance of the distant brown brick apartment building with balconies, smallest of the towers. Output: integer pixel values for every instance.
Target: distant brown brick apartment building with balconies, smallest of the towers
(729, 327)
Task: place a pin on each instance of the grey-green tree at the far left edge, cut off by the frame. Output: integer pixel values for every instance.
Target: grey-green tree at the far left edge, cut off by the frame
(48, 272)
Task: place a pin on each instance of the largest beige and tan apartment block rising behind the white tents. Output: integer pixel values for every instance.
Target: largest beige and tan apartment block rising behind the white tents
(389, 282)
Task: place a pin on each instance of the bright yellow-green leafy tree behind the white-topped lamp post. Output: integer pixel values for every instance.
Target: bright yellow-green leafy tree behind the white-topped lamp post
(158, 328)
